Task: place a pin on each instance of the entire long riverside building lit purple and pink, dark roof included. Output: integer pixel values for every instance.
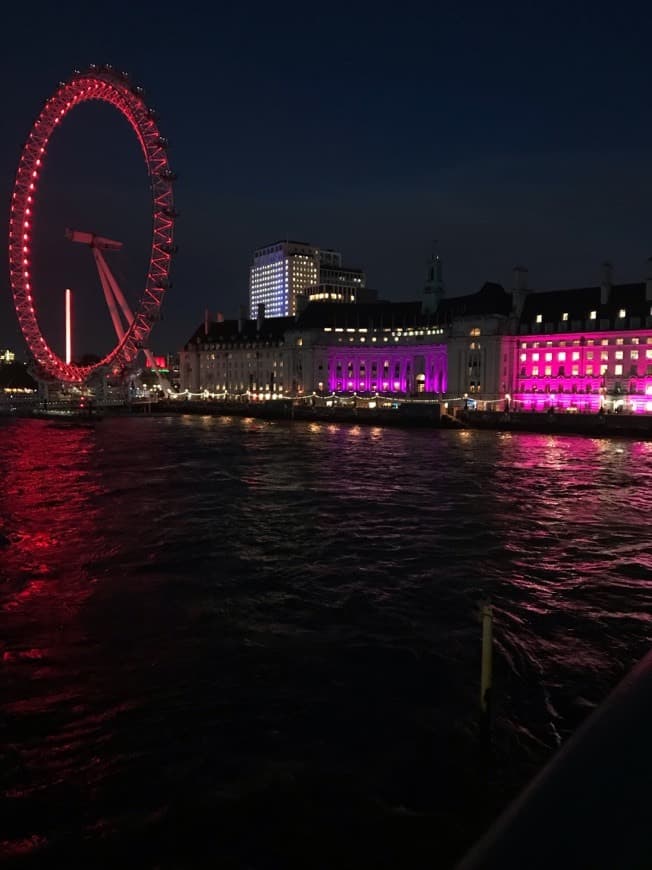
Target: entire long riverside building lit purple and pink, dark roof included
(576, 350)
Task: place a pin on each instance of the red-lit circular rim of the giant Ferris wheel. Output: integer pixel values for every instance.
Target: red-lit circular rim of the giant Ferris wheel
(110, 87)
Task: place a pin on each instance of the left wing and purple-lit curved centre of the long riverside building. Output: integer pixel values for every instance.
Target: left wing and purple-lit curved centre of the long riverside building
(380, 347)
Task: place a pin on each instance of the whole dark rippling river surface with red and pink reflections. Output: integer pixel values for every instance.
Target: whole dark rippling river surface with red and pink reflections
(237, 644)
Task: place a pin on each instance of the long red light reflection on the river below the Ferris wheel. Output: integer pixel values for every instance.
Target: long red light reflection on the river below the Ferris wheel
(50, 510)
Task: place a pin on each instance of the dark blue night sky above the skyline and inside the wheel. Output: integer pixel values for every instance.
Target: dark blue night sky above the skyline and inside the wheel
(513, 135)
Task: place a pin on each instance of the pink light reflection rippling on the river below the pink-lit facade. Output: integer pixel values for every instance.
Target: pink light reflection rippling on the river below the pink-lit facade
(574, 548)
